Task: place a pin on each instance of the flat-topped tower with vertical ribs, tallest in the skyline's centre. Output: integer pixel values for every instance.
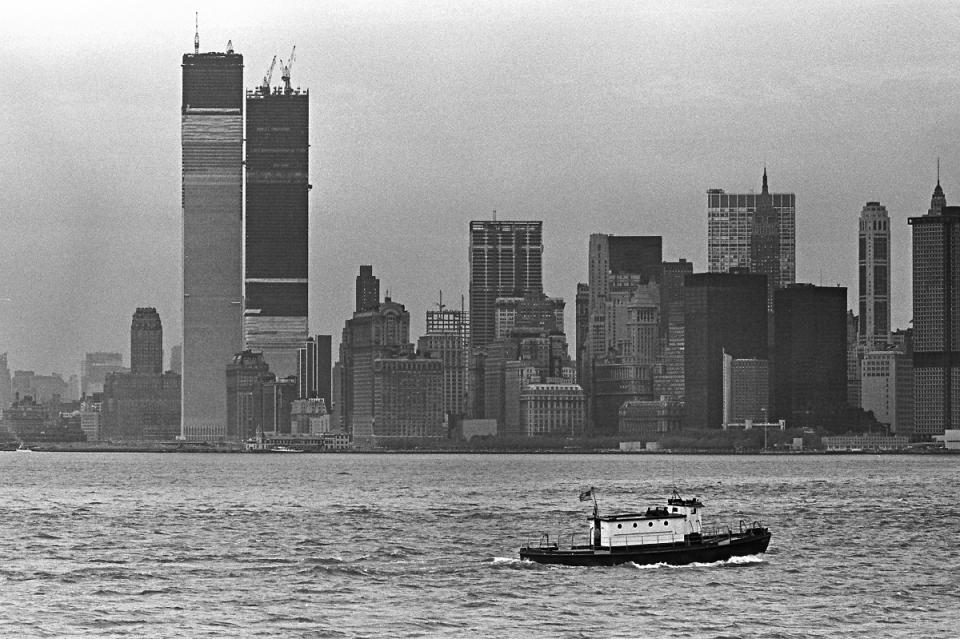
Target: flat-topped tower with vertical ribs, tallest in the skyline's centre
(506, 260)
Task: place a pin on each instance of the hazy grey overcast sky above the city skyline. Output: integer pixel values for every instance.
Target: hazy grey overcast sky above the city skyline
(595, 117)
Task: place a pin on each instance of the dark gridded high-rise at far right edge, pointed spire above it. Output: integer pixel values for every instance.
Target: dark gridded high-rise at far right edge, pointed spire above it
(936, 317)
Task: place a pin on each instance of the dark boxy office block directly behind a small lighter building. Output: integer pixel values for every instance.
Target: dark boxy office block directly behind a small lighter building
(722, 312)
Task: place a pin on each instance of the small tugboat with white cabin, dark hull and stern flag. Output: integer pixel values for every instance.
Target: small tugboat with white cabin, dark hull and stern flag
(671, 534)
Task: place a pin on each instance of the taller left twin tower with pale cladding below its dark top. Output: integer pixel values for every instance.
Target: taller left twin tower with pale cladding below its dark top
(212, 145)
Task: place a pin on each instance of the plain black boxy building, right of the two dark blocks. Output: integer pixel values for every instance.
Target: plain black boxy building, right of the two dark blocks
(810, 373)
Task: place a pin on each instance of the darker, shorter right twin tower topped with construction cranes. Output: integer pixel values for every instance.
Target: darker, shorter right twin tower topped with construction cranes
(277, 225)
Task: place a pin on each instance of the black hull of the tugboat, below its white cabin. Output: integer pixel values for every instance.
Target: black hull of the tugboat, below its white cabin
(708, 550)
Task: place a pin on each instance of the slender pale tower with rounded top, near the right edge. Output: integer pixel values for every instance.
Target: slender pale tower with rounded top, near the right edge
(874, 291)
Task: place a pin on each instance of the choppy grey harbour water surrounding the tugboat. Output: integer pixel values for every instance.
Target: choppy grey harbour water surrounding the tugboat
(134, 545)
